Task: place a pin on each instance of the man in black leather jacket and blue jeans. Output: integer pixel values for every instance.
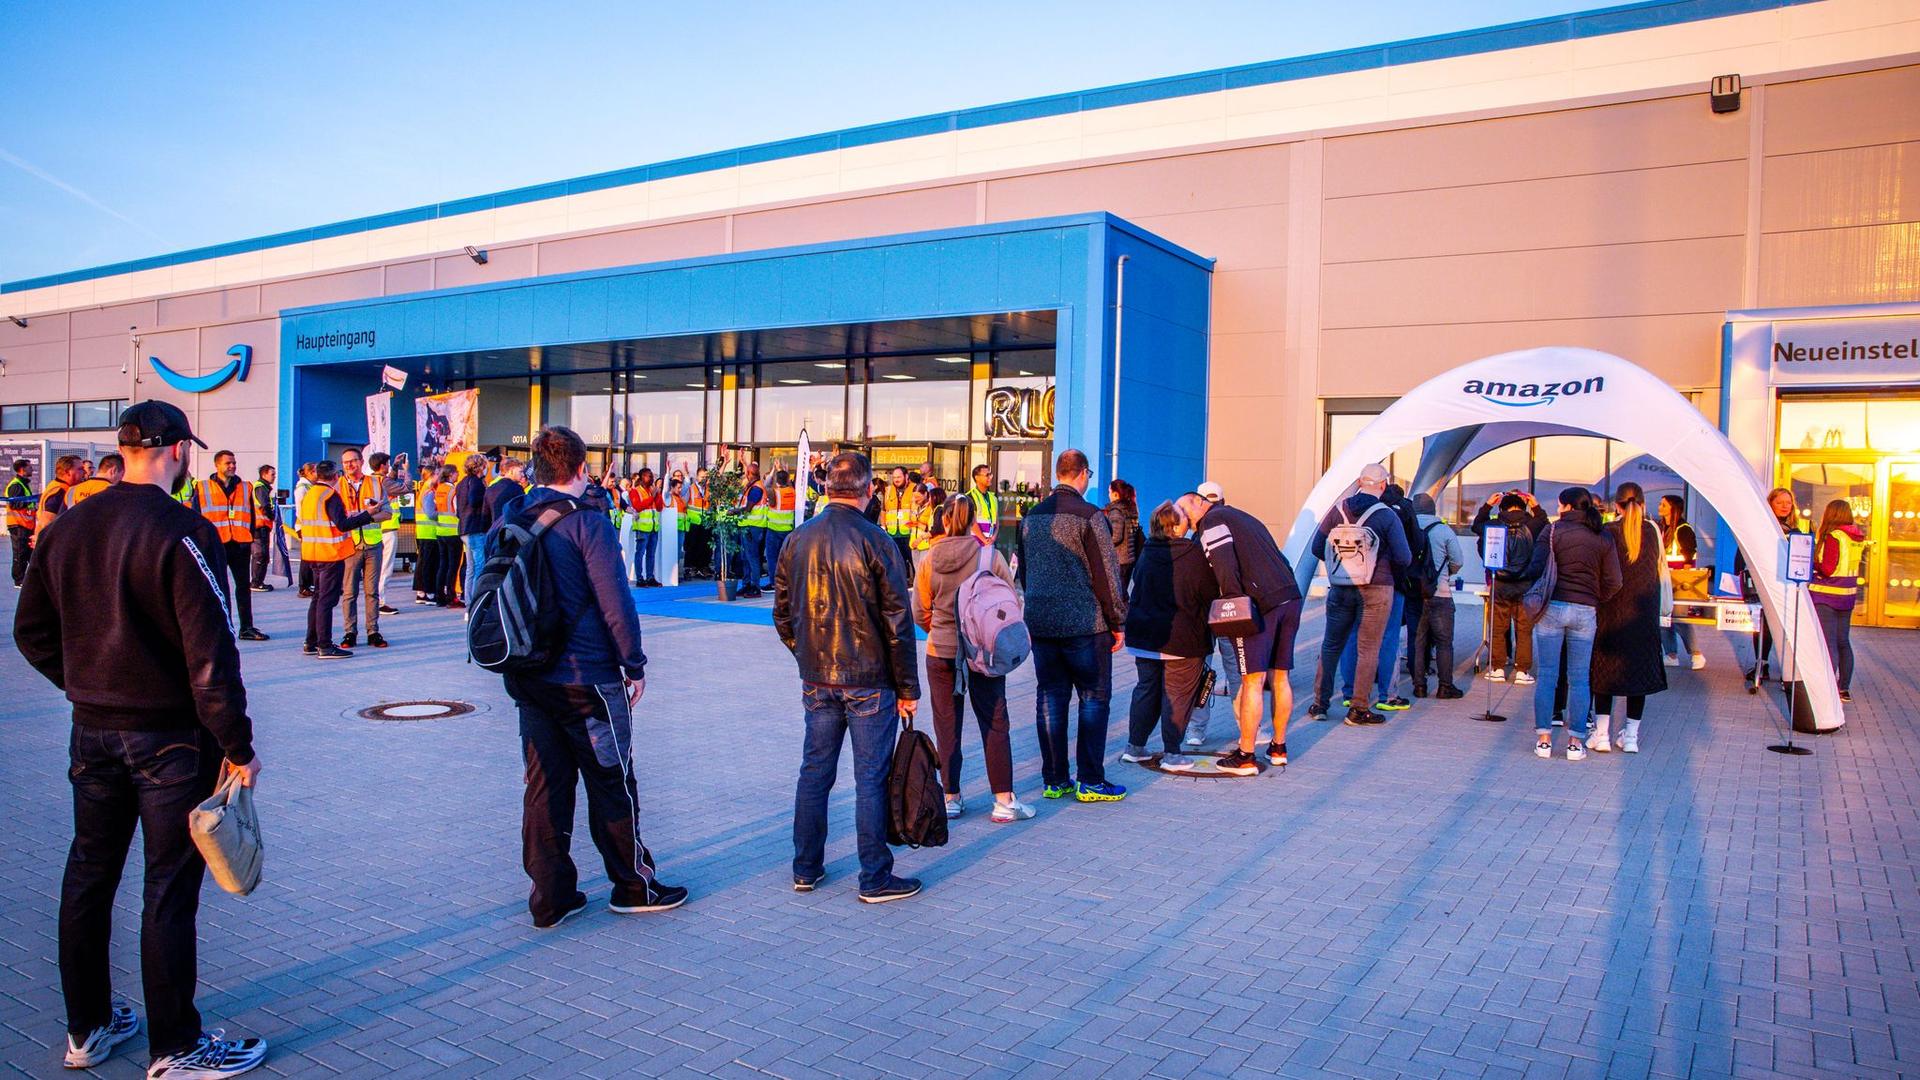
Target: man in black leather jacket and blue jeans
(842, 608)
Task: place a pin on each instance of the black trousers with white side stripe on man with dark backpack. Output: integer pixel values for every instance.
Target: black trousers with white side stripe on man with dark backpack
(569, 735)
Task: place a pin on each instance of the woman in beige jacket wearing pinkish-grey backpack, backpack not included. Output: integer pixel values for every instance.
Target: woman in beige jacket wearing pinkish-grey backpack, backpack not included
(953, 560)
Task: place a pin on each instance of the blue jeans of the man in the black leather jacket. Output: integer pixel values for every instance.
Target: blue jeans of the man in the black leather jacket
(832, 714)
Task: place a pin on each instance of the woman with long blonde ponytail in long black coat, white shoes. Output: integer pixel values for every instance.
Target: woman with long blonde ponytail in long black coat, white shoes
(1627, 645)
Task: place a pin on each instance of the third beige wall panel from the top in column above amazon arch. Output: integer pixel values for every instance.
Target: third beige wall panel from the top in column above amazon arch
(1575, 283)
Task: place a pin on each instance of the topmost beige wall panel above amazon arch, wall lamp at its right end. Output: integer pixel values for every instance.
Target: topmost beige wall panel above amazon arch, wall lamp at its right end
(1608, 139)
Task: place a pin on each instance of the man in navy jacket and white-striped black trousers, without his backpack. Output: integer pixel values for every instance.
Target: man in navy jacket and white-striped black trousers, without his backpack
(577, 716)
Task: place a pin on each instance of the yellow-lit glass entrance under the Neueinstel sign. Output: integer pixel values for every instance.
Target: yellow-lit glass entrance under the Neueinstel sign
(1884, 495)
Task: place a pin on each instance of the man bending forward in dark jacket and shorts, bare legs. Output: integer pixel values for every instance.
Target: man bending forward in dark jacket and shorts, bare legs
(1247, 562)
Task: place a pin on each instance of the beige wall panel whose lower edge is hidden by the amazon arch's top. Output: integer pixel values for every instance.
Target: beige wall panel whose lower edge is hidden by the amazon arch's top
(1393, 360)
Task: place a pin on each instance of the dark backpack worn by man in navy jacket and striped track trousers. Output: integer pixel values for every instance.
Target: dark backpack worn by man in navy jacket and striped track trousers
(516, 620)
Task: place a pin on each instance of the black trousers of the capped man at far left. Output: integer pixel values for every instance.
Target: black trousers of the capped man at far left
(120, 781)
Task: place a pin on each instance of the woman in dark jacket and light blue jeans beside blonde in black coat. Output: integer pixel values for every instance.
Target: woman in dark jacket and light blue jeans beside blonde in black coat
(1587, 576)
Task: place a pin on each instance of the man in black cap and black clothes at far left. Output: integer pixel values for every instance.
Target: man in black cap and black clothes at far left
(158, 714)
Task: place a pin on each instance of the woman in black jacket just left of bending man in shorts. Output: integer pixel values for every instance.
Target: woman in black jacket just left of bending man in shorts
(1172, 591)
